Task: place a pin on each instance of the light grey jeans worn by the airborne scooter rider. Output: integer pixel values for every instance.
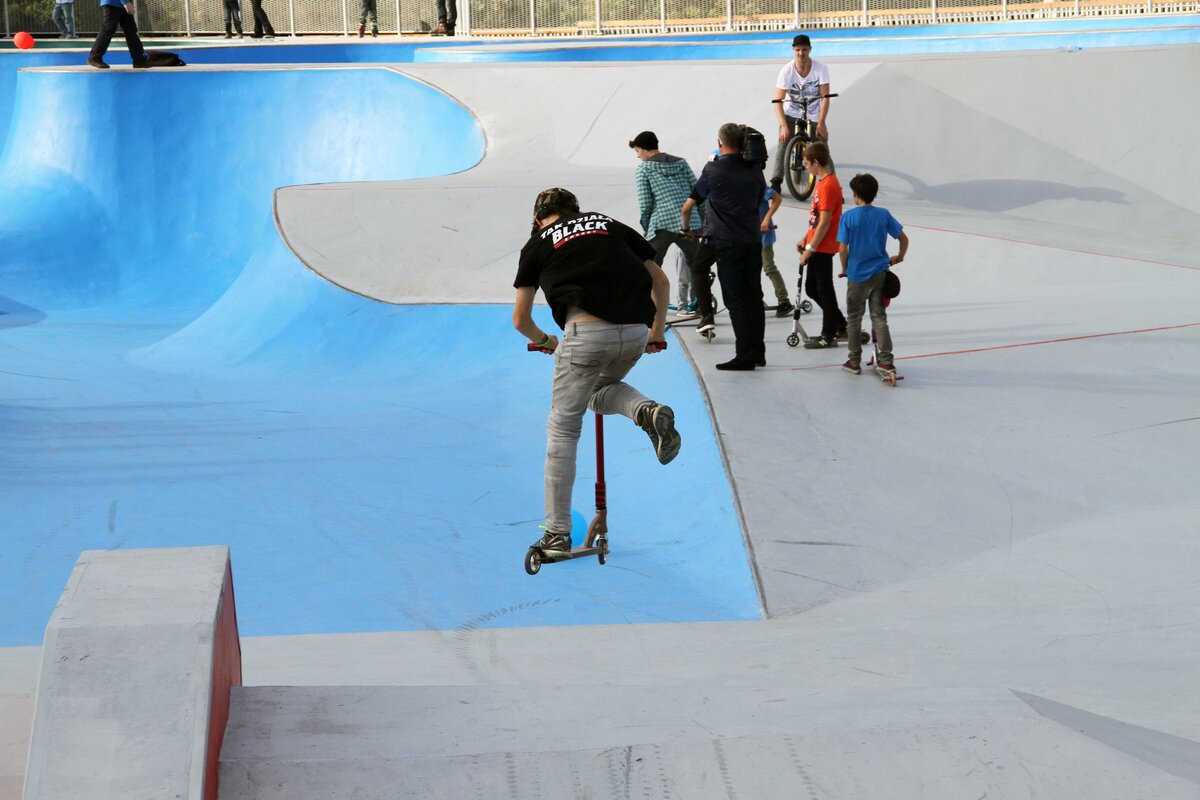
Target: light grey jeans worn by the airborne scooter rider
(590, 364)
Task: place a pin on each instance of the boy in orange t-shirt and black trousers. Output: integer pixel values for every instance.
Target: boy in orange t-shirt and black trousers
(820, 245)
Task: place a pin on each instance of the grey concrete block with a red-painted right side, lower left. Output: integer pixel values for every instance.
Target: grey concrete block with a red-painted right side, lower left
(134, 694)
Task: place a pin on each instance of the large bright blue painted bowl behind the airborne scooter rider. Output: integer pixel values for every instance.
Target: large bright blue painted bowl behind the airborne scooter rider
(171, 375)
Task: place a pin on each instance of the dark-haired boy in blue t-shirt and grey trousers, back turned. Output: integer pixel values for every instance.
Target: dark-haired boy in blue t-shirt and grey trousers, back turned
(865, 261)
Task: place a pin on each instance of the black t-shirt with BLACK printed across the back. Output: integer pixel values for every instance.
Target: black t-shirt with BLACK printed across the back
(592, 262)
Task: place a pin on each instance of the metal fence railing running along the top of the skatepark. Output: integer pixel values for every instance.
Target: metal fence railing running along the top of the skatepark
(580, 17)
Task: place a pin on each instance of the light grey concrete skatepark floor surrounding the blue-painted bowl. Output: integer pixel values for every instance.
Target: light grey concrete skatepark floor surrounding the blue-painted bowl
(1005, 539)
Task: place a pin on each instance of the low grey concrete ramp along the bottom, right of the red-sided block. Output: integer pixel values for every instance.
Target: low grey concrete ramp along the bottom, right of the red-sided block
(602, 742)
